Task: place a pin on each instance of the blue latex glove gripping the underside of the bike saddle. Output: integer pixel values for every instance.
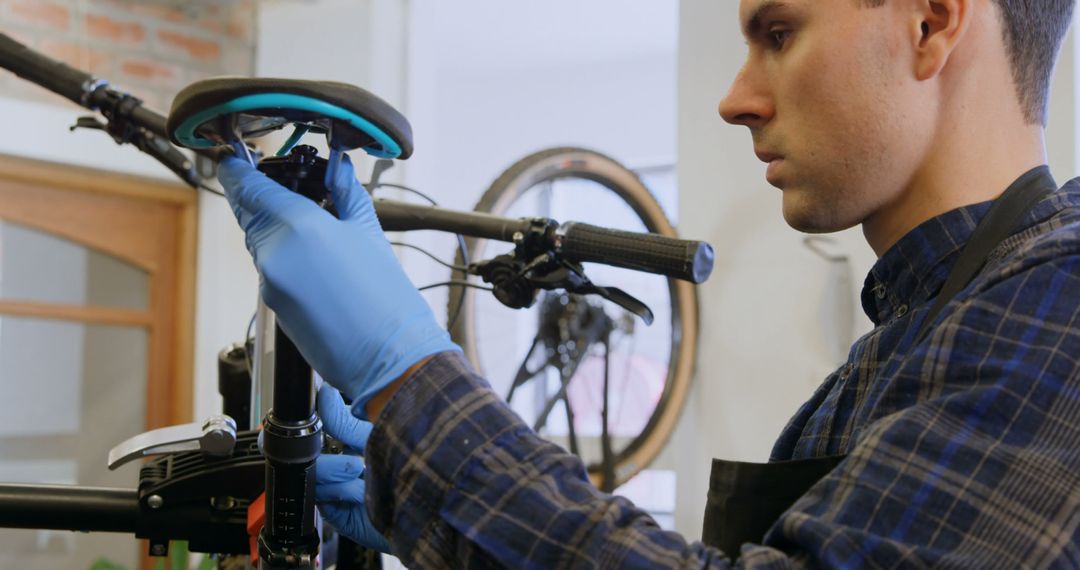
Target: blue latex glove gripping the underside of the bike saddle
(335, 284)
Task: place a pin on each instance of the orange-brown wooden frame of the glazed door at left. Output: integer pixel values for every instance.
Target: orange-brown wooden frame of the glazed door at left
(147, 223)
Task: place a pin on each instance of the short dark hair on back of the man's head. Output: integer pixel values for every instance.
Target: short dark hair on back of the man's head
(1034, 32)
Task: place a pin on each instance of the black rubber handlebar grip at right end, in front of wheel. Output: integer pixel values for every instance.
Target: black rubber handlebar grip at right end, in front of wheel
(683, 260)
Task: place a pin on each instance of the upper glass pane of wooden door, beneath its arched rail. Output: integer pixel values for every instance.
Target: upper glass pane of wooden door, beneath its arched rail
(40, 267)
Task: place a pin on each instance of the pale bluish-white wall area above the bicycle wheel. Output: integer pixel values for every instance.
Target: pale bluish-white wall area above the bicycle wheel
(490, 83)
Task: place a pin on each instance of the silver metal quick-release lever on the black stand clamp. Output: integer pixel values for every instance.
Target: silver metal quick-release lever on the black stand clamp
(217, 437)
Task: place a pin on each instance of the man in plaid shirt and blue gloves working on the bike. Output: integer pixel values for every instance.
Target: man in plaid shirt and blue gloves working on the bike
(953, 435)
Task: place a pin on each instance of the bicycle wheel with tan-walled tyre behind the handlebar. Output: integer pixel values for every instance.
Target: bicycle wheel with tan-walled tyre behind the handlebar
(641, 376)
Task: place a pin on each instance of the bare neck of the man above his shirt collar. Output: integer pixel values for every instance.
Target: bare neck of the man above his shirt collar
(964, 171)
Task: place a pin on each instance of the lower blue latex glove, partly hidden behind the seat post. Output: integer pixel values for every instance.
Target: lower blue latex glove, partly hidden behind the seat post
(340, 484)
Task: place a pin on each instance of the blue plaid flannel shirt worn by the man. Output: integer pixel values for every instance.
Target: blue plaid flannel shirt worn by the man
(964, 450)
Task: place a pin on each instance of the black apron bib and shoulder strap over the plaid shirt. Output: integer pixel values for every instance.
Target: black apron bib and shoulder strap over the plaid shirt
(747, 499)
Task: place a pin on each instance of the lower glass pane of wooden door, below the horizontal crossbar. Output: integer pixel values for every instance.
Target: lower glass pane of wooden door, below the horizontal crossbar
(72, 392)
